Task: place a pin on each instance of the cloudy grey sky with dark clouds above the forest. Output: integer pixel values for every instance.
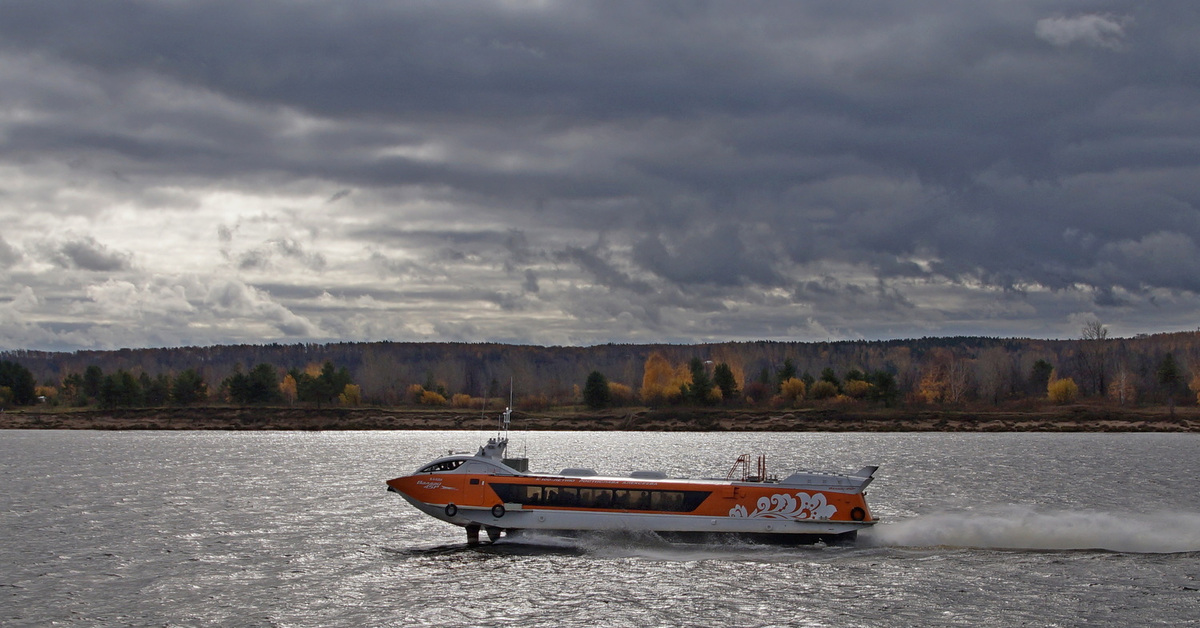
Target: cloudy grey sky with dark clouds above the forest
(194, 174)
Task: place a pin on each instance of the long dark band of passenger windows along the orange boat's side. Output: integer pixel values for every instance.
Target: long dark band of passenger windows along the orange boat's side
(601, 498)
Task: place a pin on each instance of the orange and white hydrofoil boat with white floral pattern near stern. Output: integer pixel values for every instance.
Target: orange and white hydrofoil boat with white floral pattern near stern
(491, 493)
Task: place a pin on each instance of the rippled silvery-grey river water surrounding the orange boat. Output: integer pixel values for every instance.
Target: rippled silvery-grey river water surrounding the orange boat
(296, 529)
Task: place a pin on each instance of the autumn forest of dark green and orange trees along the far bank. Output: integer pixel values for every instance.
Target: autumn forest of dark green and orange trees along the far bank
(1144, 370)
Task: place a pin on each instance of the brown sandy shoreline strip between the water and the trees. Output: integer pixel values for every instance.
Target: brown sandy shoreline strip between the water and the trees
(1057, 420)
